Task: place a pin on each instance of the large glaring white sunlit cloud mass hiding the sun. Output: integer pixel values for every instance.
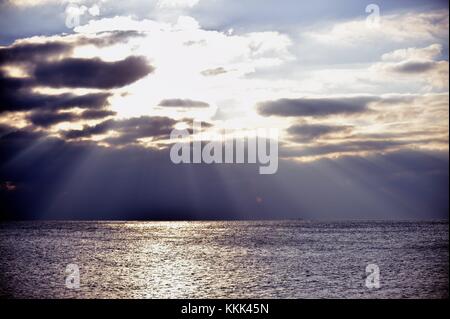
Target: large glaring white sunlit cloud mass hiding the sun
(182, 51)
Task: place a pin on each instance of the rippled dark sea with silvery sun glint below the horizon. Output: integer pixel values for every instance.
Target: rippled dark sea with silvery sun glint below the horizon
(224, 259)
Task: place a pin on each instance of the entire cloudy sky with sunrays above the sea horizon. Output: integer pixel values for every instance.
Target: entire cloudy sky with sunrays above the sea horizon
(90, 92)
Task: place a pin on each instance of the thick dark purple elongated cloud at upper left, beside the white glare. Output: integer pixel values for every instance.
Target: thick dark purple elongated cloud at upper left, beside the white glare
(91, 73)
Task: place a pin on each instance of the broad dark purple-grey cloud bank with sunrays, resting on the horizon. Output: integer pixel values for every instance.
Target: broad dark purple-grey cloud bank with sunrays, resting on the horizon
(86, 181)
